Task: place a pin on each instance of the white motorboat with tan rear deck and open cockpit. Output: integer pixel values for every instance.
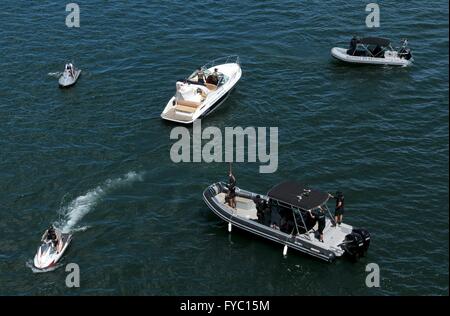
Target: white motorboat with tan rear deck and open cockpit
(195, 98)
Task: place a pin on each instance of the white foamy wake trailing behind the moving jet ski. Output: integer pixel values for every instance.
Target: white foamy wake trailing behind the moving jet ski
(78, 208)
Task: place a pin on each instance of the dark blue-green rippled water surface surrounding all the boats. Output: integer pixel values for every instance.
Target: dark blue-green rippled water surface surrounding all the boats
(95, 158)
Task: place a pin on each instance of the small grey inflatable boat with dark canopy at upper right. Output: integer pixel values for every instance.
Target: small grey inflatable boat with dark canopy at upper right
(375, 51)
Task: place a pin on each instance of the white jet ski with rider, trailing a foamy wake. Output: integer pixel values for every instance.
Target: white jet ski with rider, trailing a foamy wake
(52, 249)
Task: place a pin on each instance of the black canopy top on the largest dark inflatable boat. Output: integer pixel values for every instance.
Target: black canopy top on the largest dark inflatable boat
(298, 195)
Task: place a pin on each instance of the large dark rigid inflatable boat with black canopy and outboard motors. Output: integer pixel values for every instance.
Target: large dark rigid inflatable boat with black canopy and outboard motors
(285, 215)
